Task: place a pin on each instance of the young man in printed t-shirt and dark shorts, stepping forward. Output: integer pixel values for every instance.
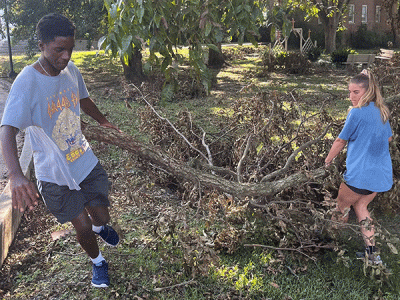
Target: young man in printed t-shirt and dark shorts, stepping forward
(45, 99)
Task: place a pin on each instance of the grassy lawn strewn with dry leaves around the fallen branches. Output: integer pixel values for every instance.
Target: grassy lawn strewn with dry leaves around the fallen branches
(154, 261)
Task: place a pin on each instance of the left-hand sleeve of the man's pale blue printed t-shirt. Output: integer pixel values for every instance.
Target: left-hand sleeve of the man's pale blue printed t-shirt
(17, 111)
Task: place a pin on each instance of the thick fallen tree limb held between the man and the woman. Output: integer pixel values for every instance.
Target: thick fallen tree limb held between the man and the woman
(184, 173)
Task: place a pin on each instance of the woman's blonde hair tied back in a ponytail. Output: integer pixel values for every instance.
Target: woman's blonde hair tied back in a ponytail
(367, 80)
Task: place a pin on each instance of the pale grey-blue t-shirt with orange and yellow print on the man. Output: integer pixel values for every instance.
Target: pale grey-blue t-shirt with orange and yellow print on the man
(49, 108)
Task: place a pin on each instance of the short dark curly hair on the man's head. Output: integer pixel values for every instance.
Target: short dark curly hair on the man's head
(53, 25)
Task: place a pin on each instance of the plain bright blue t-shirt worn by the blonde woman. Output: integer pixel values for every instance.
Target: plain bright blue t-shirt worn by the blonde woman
(368, 162)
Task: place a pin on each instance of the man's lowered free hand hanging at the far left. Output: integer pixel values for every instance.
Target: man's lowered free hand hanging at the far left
(24, 193)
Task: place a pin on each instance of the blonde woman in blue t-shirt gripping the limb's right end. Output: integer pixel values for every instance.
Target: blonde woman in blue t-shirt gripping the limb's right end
(368, 165)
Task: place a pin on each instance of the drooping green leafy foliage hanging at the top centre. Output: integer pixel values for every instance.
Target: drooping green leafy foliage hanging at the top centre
(164, 26)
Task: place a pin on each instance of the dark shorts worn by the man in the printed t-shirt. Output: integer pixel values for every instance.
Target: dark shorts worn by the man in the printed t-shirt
(66, 204)
